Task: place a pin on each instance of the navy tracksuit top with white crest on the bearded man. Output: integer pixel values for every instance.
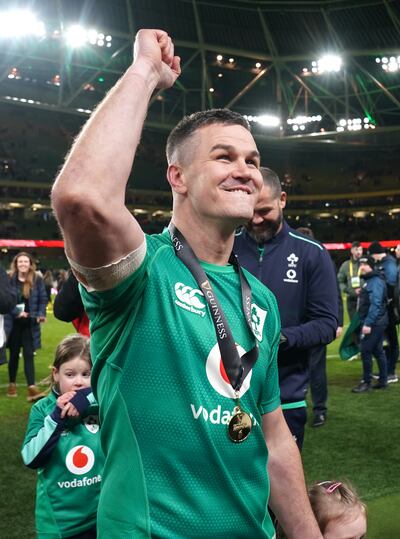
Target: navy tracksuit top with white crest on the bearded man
(299, 271)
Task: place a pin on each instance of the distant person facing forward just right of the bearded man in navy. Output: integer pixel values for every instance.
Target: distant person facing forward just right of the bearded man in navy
(349, 278)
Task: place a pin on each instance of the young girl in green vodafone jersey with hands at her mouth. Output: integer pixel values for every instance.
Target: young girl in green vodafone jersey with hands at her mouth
(62, 442)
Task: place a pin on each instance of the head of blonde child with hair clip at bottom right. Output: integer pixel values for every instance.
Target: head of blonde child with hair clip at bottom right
(339, 511)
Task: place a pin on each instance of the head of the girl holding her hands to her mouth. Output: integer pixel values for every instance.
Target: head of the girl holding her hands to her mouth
(72, 364)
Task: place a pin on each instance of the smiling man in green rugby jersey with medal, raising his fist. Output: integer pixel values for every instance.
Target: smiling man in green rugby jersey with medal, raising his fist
(184, 342)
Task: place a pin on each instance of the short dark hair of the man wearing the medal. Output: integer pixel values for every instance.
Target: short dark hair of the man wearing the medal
(190, 124)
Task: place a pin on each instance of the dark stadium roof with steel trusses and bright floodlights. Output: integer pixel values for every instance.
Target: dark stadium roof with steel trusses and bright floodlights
(260, 58)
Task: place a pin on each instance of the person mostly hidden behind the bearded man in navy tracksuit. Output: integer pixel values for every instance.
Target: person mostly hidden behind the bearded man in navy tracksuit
(317, 361)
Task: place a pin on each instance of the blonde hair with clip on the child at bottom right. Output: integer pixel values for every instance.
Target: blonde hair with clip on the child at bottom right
(331, 500)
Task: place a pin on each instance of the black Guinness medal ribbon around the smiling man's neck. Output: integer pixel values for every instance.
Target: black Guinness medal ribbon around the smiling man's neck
(236, 367)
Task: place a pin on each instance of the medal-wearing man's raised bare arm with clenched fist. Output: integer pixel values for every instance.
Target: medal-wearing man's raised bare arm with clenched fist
(89, 194)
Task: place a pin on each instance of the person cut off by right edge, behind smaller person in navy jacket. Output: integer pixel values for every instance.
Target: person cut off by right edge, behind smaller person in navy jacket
(387, 265)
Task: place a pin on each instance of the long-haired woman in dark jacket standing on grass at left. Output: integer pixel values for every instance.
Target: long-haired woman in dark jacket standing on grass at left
(23, 323)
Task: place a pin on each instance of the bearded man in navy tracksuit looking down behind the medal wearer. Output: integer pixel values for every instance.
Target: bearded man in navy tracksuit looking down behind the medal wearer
(300, 273)
